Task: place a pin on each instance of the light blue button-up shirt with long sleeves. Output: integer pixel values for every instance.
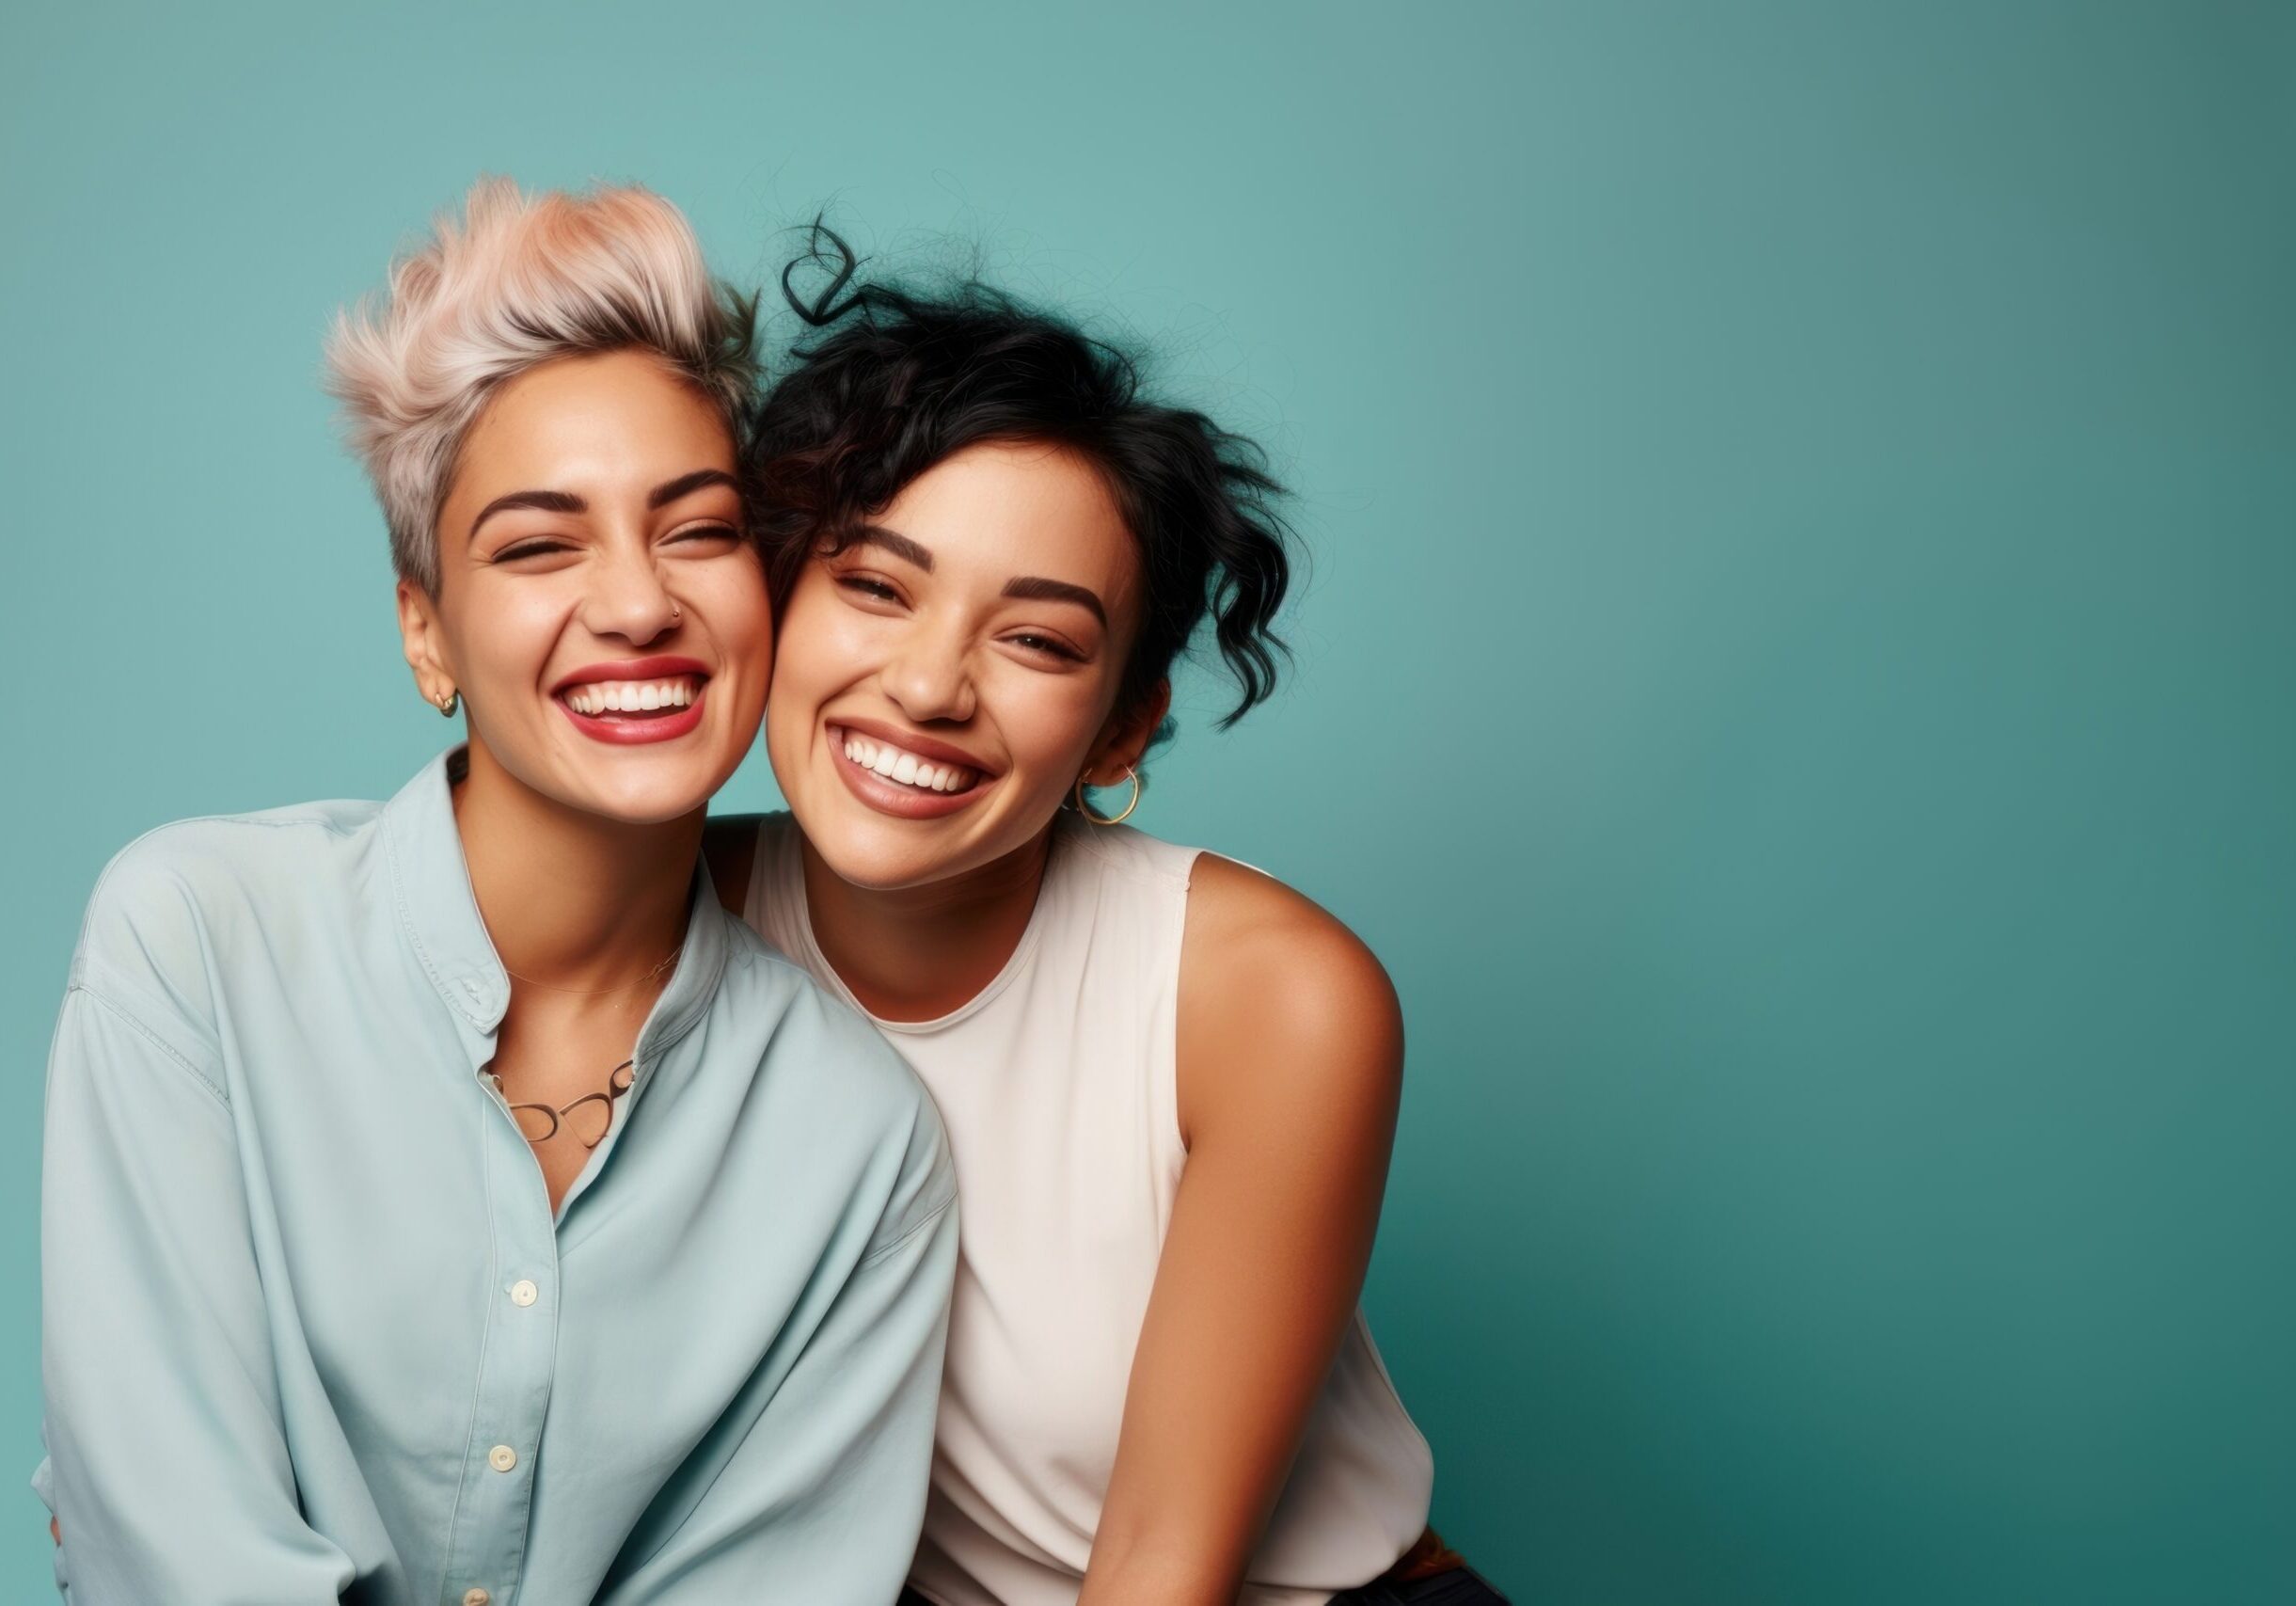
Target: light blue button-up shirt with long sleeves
(311, 1331)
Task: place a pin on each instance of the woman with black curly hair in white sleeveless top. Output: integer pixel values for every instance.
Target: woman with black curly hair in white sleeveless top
(1170, 1081)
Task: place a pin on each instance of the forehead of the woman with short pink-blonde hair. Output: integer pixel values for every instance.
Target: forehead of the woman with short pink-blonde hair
(591, 422)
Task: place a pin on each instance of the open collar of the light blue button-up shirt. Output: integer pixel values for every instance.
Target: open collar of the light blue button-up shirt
(440, 916)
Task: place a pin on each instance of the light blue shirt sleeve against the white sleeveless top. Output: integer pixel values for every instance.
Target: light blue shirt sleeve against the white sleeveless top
(819, 1497)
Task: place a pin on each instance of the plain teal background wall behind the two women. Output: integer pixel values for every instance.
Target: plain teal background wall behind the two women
(1799, 677)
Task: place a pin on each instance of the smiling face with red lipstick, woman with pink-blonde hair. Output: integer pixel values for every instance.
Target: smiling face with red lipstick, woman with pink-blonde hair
(598, 605)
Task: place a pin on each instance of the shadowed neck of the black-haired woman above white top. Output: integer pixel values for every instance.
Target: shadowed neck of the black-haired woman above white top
(924, 952)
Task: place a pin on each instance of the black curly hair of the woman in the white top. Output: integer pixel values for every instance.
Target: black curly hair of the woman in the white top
(903, 380)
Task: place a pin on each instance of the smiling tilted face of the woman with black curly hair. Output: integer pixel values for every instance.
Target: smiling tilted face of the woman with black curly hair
(945, 681)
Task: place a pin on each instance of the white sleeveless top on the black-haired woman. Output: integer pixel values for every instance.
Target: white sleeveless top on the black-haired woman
(1057, 1090)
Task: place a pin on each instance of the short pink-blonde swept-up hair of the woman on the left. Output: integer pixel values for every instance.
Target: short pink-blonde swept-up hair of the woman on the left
(525, 279)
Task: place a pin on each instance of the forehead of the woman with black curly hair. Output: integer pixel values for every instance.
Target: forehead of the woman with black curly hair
(998, 511)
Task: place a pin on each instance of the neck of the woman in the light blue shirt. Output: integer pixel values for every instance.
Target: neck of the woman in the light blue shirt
(571, 899)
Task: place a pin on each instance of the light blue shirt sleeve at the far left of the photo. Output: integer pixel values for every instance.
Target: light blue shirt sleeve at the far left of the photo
(169, 1462)
